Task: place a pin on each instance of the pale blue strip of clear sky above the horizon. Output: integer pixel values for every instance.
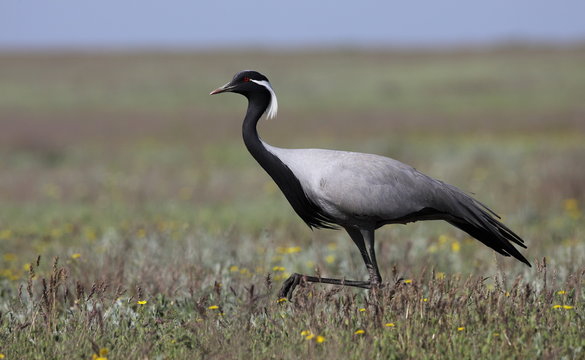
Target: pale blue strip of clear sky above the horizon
(264, 23)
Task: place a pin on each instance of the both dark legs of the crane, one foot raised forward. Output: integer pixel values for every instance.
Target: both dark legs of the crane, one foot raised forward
(357, 236)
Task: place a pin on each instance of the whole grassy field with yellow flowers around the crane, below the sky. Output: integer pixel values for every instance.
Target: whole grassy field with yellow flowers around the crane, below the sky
(135, 225)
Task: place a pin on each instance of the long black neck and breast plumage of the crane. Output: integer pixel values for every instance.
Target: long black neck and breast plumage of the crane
(282, 175)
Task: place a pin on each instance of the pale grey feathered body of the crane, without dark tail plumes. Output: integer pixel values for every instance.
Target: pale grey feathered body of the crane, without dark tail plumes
(370, 190)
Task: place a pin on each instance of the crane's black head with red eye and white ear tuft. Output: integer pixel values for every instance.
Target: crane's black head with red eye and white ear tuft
(248, 82)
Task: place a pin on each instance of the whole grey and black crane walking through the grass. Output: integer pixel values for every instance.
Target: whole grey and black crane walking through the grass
(359, 192)
